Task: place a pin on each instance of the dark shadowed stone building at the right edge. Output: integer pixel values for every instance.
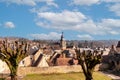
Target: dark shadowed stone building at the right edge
(113, 58)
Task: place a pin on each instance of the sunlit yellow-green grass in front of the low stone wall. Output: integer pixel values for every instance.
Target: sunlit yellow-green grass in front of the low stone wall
(68, 76)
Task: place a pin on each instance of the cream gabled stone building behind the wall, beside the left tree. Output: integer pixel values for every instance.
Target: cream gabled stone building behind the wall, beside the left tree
(38, 59)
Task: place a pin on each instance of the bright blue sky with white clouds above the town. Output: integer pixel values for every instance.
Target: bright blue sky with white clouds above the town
(46, 19)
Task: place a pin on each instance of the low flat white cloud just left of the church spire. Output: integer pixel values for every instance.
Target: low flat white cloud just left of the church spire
(50, 36)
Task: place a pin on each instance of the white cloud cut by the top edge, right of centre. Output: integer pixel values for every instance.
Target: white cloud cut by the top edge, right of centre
(85, 2)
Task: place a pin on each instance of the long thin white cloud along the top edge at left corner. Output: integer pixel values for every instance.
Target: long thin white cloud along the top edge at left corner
(30, 2)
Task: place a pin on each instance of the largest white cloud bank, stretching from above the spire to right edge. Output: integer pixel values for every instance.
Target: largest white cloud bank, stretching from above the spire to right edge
(70, 20)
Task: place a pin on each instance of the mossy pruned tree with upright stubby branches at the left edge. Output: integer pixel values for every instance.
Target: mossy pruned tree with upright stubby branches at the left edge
(12, 54)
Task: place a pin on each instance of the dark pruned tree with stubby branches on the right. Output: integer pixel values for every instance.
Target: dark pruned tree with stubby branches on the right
(88, 60)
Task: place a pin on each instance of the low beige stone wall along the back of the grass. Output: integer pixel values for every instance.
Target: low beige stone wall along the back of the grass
(22, 71)
